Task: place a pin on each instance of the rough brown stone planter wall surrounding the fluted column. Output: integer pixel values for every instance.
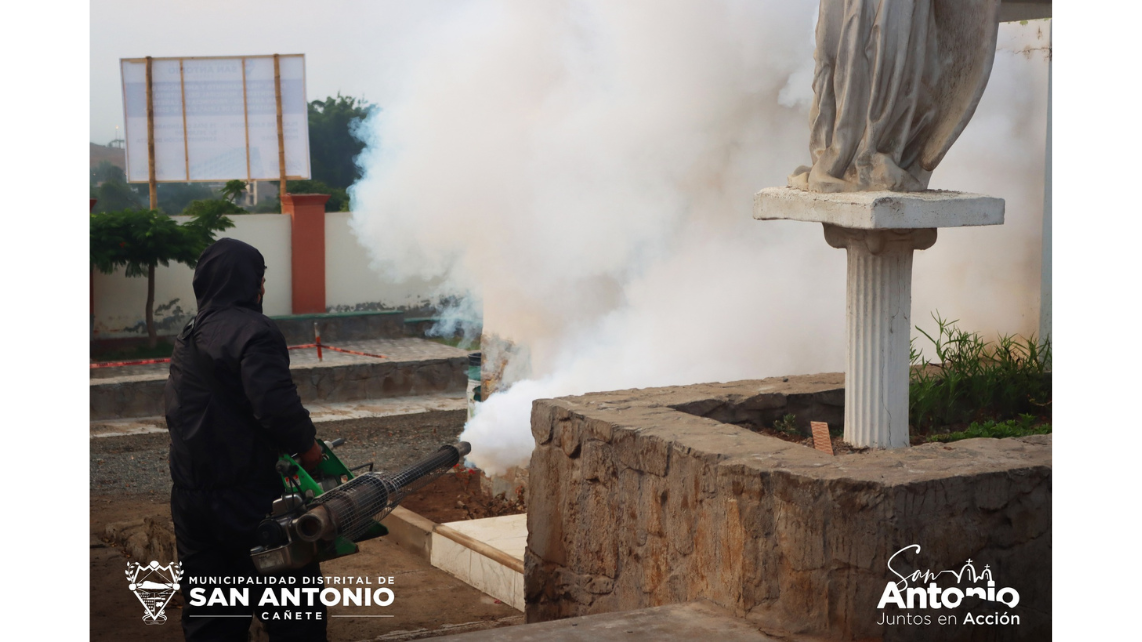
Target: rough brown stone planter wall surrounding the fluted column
(639, 502)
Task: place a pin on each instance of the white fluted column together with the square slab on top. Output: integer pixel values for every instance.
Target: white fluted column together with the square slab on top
(880, 231)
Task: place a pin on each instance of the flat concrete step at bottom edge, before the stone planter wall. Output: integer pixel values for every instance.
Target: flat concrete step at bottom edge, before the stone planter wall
(694, 621)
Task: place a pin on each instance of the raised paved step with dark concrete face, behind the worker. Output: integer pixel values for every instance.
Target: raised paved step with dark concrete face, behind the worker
(412, 367)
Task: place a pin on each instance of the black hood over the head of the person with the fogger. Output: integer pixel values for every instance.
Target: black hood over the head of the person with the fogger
(229, 275)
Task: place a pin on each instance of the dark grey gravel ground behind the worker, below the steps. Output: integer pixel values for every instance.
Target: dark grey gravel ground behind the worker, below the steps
(138, 464)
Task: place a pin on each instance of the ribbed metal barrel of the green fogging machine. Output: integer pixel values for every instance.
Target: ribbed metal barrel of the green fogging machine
(350, 509)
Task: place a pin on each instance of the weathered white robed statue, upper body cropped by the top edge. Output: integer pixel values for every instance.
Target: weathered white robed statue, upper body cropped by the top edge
(896, 83)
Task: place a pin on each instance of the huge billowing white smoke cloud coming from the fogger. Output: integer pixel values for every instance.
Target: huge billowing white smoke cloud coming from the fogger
(585, 170)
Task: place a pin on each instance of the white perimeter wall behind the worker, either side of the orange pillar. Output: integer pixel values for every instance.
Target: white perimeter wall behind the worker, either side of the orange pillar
(120, 303)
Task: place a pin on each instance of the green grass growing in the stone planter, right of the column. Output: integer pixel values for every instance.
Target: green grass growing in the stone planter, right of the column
(975, 381)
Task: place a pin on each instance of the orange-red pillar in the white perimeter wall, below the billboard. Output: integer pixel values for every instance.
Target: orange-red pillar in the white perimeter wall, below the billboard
(308, 216)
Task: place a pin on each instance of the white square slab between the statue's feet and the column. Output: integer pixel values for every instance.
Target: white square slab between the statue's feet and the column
(880, 211)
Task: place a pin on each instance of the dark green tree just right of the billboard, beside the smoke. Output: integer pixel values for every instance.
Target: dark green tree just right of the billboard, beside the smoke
(333, 147)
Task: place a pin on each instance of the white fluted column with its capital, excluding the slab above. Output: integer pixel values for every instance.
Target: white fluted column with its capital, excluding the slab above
(879, 325)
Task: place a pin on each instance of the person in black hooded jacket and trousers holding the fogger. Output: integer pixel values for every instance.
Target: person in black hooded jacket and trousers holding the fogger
(231, 410)
